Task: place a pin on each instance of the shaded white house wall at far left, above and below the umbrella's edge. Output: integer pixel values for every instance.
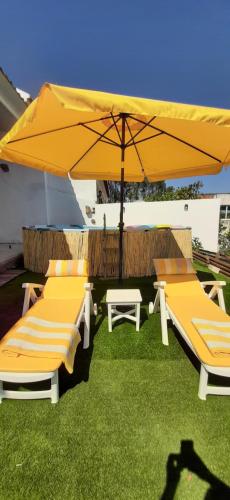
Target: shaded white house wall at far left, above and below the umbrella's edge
(22, 193)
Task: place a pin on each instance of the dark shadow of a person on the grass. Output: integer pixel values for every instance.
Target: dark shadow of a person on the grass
(189, 459)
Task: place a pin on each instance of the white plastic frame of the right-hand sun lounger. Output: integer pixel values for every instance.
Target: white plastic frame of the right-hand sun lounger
(166, 314)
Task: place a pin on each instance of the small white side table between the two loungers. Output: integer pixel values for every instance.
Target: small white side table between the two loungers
(116, 298)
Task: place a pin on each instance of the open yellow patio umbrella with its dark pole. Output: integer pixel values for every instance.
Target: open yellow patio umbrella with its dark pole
(86, 134)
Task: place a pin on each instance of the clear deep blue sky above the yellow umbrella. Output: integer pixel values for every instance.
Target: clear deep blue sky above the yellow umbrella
(174, 50)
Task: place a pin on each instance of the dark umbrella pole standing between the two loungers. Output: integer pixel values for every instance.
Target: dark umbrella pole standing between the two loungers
(121, 224)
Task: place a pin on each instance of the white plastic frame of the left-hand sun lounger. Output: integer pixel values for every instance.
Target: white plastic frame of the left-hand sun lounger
(28, 377)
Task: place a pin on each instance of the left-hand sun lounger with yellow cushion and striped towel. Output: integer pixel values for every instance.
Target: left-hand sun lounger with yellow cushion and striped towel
(55, 316)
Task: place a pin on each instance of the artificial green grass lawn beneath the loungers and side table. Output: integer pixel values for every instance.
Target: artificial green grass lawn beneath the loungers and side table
(117, 430)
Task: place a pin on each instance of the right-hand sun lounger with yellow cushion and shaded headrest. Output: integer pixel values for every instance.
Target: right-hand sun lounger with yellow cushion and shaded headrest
(181, 298)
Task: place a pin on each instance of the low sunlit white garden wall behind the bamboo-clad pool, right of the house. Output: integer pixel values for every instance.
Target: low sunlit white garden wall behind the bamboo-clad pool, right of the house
(202, 216)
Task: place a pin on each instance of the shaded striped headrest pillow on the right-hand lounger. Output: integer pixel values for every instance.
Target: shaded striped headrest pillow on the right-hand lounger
(173, 266)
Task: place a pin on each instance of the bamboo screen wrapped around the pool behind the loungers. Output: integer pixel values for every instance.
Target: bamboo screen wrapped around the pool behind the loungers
(139, 249)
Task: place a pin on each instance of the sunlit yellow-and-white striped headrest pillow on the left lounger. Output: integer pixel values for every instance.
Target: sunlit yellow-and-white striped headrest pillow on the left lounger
(77, 267)
